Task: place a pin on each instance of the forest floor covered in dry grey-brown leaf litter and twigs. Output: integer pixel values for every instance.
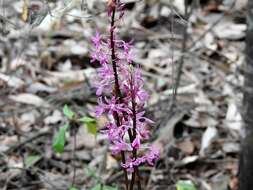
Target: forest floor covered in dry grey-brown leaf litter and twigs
(45, 64)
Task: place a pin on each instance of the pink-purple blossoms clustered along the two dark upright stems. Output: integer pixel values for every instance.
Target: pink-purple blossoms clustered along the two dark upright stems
(128, 127)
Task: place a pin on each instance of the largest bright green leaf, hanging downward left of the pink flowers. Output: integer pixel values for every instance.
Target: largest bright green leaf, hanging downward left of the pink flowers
(59, 140)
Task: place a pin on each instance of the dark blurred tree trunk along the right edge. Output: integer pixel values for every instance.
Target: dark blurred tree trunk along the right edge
(246, 157)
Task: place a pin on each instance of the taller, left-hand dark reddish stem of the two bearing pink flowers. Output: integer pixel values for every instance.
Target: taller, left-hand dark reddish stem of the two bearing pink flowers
(116, 87)
